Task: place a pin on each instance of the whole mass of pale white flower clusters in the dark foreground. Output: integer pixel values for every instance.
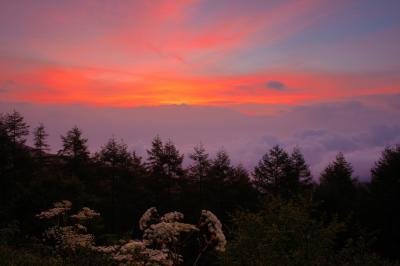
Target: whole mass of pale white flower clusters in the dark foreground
(162, 236)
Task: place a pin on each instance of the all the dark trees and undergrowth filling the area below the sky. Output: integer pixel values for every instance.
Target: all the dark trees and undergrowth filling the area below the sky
(275, 215)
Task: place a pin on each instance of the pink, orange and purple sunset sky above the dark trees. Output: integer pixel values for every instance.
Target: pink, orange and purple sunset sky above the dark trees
(242, 75)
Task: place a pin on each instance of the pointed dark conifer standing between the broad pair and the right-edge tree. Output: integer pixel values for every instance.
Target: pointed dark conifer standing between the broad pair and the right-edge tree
(337, 187)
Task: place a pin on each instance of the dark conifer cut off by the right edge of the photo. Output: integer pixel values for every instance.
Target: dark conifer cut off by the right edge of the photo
(385, 186)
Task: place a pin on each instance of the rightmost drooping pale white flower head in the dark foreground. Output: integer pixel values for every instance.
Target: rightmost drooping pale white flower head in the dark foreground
(214, 227)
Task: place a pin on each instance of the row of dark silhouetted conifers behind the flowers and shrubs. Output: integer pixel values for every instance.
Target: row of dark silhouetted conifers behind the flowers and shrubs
(121, 185)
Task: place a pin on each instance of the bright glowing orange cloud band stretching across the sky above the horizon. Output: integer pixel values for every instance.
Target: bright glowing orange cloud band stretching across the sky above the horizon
(48, 83)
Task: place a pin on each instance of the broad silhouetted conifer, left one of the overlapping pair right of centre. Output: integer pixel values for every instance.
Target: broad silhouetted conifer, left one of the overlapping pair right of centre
(275, 174)
